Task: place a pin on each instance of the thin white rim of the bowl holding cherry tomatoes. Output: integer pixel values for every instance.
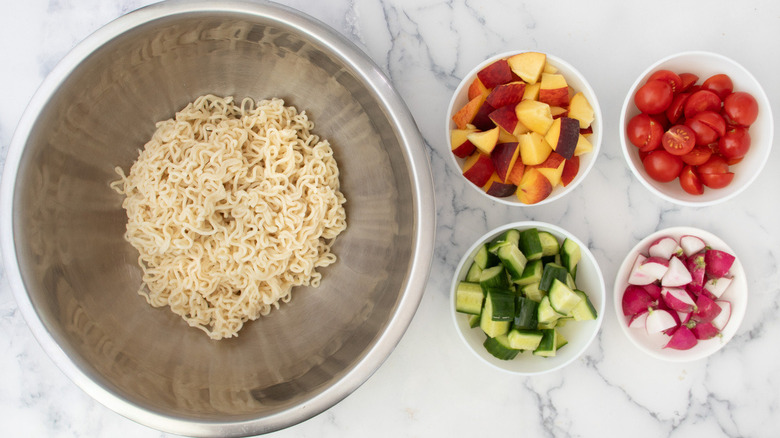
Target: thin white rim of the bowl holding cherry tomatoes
(761, 97)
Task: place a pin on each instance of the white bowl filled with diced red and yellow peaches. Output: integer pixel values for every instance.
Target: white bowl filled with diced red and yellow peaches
(524, 128)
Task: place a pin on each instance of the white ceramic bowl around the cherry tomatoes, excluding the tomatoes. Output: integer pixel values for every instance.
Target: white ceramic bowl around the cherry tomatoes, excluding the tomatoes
(704, 65)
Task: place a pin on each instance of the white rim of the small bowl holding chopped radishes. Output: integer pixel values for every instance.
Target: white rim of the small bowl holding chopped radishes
(704, 348)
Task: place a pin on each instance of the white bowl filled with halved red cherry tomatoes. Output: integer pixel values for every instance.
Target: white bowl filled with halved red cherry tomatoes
(696, 128)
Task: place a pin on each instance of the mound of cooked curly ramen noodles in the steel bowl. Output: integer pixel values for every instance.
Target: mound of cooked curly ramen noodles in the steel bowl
(231, 206)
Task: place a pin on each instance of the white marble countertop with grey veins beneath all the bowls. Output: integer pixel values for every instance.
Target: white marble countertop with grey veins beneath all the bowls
(430, 385)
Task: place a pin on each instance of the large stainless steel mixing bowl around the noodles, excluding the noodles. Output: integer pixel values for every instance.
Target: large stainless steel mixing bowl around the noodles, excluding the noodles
(75, 278)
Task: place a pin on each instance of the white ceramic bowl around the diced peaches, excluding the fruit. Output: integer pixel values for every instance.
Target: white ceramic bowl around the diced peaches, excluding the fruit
(576, 80)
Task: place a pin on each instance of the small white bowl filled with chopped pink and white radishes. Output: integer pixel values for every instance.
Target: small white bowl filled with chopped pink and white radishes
(680, 294)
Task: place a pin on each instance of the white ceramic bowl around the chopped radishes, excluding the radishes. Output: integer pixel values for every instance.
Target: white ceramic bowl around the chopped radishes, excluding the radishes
(653, 344)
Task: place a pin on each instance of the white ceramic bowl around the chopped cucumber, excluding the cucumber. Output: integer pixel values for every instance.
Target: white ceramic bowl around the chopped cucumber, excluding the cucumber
(579, 334)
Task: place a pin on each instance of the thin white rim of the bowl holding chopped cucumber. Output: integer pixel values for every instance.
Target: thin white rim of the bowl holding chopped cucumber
(586, 253)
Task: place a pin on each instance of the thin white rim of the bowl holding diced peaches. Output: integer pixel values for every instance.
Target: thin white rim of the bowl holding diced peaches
(596, 138)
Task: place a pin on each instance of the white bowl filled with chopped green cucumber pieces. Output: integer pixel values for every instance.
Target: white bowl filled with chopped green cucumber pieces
(527, 298)
